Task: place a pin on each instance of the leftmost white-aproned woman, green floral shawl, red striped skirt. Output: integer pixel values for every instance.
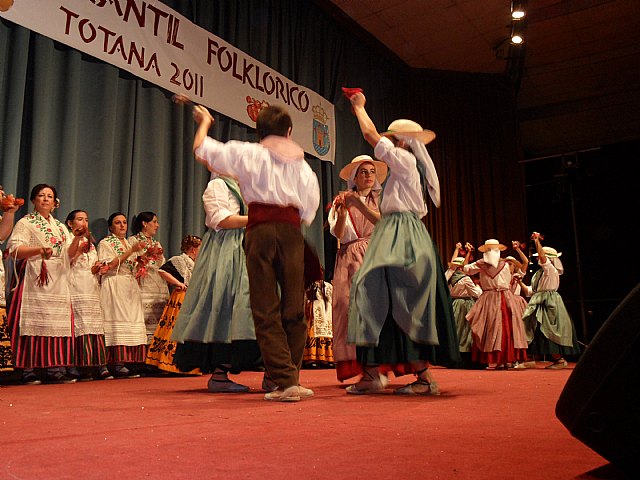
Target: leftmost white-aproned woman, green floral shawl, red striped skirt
(40, 316)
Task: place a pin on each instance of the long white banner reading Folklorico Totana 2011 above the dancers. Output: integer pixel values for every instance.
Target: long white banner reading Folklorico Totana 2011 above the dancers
(154, 42)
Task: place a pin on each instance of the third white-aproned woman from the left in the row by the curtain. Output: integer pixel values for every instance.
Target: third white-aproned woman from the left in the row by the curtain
(124, 327)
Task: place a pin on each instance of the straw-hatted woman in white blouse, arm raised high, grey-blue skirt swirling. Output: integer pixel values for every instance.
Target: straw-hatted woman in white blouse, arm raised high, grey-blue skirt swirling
(400, 309)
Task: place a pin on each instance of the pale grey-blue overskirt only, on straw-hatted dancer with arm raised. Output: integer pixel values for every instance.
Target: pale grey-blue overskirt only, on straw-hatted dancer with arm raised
(398, 276)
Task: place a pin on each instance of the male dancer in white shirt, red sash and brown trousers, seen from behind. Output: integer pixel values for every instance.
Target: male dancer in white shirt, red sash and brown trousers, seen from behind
(282, 192)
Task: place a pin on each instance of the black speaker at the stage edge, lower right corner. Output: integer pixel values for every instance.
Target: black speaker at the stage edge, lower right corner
(600, 403)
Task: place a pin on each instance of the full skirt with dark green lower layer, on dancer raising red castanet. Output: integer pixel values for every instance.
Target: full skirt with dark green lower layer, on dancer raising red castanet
(400, 306)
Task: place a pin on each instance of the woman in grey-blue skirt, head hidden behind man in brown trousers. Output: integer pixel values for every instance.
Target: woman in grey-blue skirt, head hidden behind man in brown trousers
(214, 329)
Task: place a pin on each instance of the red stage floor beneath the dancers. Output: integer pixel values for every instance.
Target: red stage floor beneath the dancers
(485, 424)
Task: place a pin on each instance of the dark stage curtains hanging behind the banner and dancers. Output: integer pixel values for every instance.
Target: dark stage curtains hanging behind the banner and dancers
(109, 141)
